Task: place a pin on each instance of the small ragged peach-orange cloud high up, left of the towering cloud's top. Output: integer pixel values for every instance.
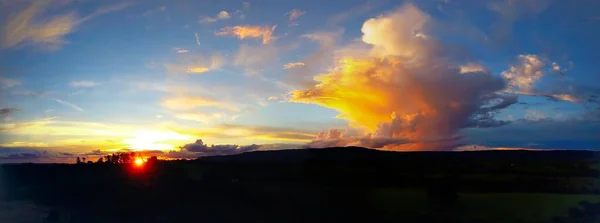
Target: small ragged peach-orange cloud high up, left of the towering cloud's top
(242, 32)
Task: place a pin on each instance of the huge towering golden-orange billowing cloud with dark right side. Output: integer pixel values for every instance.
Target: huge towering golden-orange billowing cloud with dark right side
(404, 92)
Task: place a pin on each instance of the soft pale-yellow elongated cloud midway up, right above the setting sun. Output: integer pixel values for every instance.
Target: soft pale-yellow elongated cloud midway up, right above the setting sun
(187, 103)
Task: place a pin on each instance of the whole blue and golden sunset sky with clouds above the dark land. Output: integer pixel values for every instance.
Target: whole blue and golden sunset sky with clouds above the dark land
(183, 79)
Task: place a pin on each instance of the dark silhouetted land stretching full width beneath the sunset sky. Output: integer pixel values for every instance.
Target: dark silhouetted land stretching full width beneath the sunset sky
(324, 185)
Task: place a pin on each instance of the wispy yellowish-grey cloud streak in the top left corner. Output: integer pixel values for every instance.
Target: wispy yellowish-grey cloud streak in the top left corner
(28, 26)
